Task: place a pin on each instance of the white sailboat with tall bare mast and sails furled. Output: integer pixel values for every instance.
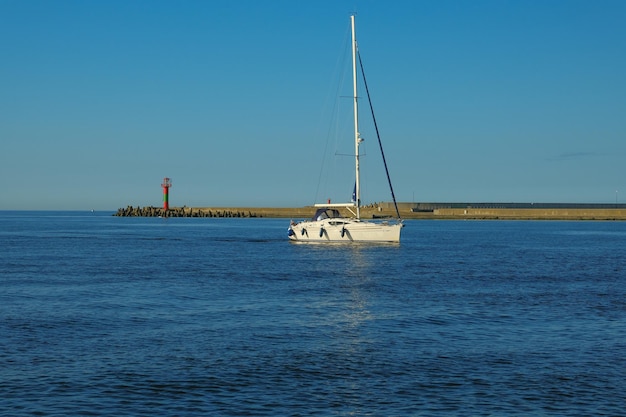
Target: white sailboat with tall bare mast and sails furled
(327, 224)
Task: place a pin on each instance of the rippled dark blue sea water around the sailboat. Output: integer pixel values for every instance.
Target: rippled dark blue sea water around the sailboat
(102, 315)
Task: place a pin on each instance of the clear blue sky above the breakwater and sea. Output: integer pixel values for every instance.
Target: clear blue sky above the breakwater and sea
(498, 100)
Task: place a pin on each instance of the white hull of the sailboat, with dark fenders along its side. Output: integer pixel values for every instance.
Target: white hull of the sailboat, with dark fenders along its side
(344, 230)
